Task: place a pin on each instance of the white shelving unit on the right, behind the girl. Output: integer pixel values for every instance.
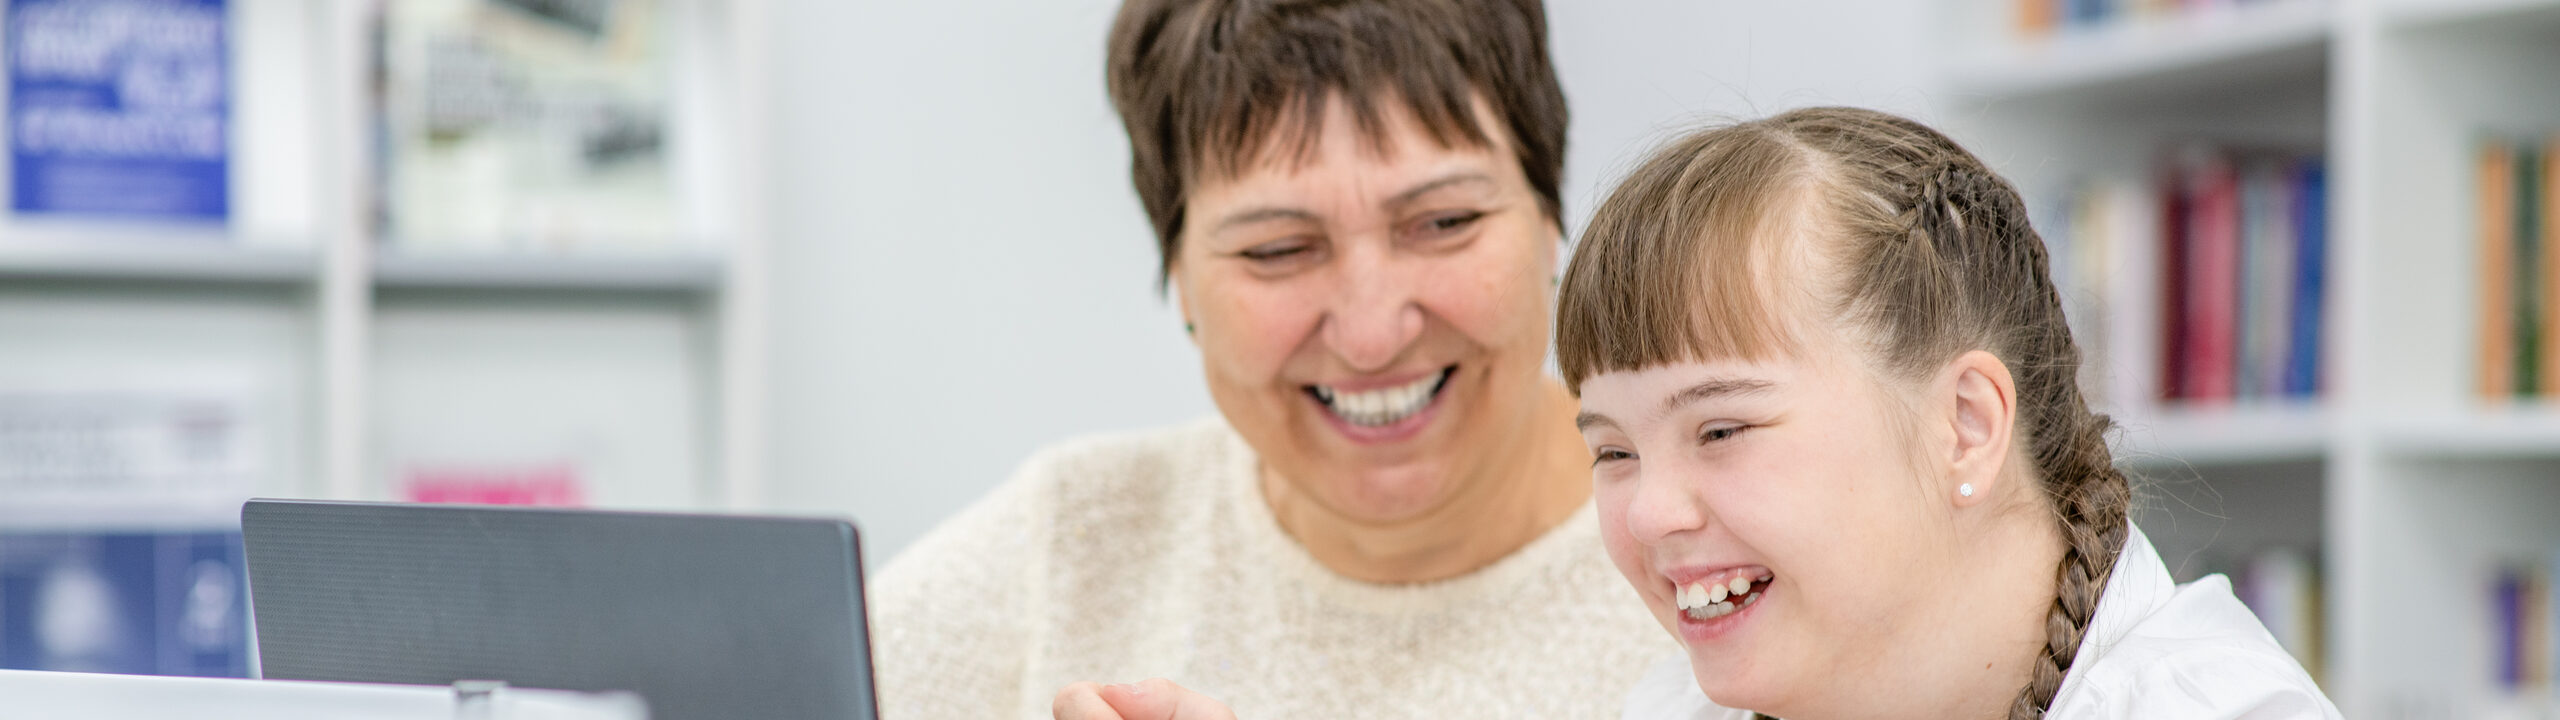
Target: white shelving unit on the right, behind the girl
(2400, 475)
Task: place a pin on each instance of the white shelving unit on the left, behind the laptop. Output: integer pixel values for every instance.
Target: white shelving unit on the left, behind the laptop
(644, 368)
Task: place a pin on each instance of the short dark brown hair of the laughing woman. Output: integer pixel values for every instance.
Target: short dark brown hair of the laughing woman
(1217, 86)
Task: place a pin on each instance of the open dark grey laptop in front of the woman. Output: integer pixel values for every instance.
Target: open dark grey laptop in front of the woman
(703, 616)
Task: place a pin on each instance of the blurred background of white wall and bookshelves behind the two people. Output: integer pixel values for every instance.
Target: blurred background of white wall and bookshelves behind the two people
(864, 258)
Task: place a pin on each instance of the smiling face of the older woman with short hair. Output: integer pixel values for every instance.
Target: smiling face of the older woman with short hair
(1373, 316)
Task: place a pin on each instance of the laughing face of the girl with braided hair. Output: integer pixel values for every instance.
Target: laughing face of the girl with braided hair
(1773, 516)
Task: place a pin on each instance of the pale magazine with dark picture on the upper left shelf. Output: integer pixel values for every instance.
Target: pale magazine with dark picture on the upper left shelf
(529, 127)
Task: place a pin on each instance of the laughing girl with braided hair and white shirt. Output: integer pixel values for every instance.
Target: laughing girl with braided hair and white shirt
(1842, 457)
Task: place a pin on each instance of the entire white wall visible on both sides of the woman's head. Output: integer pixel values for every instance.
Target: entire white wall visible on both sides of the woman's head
(964, 273)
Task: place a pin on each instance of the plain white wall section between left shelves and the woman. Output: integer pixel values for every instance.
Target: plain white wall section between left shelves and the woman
(961, 268)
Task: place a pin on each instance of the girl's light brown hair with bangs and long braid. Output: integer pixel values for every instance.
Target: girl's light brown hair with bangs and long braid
(1937, 260)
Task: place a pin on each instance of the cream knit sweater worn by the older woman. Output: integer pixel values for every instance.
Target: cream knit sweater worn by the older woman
(1153, 555)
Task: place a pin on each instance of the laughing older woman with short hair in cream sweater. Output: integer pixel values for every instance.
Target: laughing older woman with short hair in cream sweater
(1391, 514)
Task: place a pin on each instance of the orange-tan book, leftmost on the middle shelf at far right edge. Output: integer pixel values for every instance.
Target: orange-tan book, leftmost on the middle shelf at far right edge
(2497, 347)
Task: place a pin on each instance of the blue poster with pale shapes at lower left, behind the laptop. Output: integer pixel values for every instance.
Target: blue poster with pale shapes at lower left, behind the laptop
(127, 603)
